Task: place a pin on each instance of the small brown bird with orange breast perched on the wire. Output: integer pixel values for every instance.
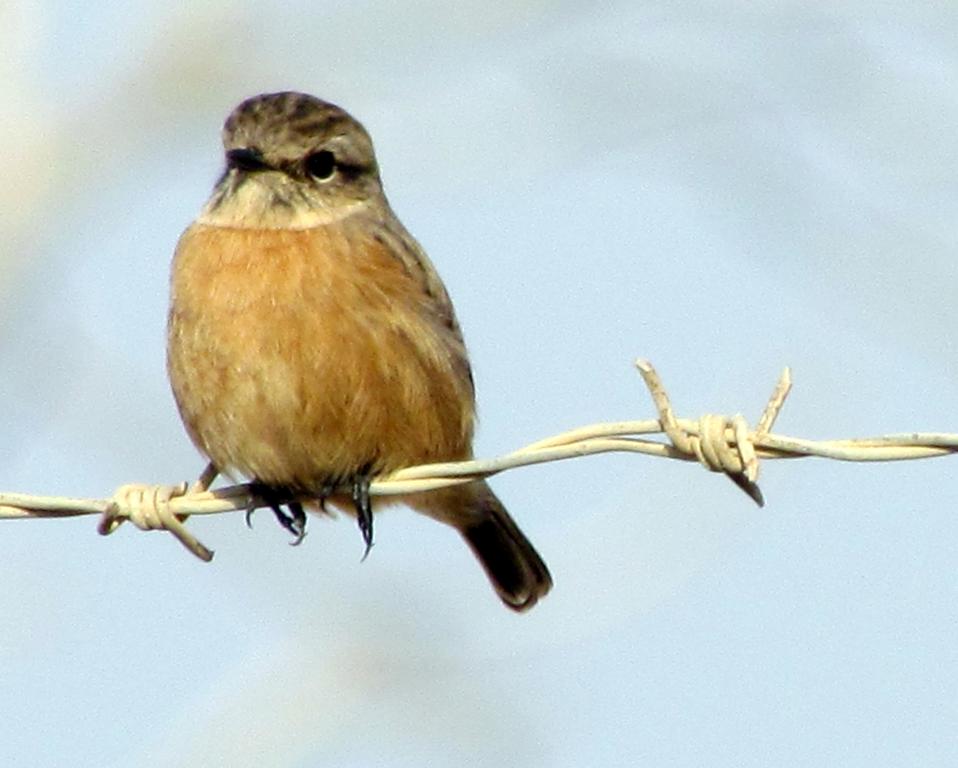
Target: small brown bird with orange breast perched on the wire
(313, 346)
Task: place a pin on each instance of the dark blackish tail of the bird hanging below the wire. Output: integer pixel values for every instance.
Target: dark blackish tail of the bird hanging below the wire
(509, 559)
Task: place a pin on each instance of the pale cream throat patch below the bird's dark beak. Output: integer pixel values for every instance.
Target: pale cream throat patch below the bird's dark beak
(254, 205)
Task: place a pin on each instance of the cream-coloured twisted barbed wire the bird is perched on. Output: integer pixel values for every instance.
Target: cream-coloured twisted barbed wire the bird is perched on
(725, 444)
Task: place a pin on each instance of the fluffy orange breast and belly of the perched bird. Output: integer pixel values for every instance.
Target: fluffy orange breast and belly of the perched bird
(297, 356)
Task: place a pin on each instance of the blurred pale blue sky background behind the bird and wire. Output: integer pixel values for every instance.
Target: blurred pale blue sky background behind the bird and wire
(724, 188)
